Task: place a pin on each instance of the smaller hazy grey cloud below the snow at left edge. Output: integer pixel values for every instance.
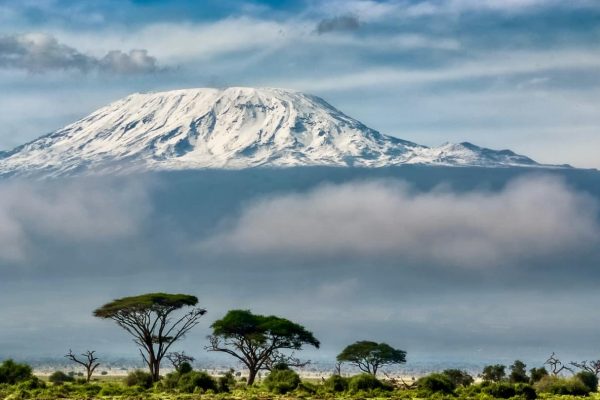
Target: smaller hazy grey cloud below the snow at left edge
(72, 213)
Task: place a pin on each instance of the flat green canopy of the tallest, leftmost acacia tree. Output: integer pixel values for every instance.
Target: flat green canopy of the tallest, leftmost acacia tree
(146, 302)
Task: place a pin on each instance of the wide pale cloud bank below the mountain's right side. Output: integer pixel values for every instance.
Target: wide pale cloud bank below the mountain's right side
(529, 219)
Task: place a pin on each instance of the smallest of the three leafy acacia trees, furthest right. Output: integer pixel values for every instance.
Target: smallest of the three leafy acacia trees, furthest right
(370, 356)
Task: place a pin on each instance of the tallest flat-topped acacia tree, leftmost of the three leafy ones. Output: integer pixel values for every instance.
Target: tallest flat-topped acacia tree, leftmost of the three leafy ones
(150, 320)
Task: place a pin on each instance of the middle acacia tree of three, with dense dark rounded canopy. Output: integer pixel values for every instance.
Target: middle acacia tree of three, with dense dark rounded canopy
(257, 340)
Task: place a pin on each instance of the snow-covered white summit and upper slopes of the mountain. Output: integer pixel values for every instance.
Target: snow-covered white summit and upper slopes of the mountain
(228, 128)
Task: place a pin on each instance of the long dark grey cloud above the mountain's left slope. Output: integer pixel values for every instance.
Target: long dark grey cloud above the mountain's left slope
(36, 52)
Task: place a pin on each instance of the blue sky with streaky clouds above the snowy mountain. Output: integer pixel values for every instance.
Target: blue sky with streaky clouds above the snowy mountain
(521, 74)
